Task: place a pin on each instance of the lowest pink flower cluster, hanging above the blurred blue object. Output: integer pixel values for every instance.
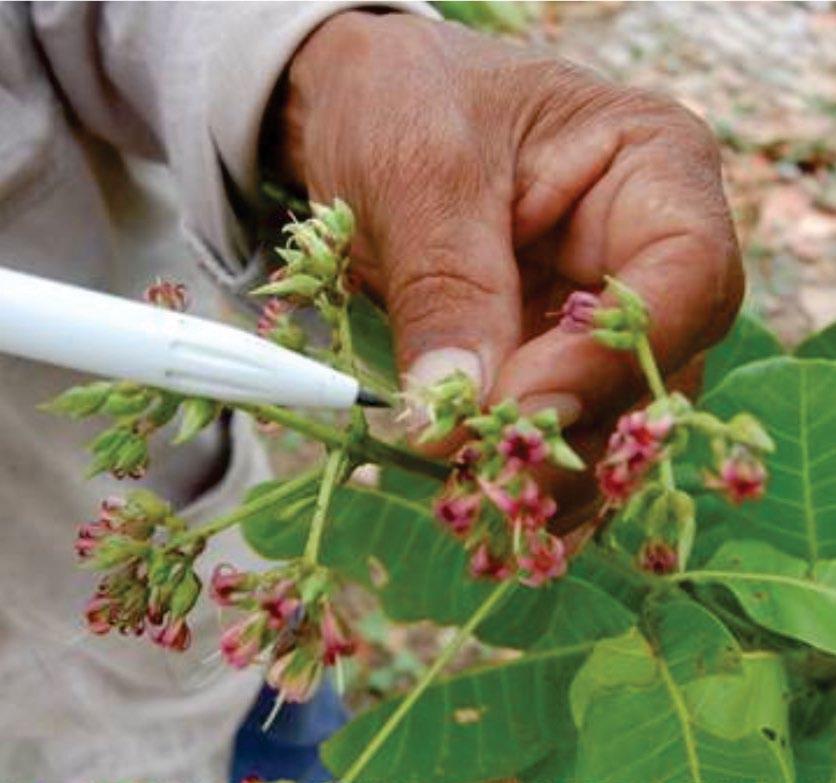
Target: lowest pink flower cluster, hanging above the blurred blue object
(288, 622)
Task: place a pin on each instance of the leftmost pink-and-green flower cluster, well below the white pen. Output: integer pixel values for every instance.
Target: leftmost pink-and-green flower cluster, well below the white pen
(149, 585)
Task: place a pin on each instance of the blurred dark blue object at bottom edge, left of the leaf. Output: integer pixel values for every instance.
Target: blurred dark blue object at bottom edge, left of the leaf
(289, 748)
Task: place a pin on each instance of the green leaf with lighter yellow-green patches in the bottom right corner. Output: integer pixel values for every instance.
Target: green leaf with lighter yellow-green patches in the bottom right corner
(659, 709)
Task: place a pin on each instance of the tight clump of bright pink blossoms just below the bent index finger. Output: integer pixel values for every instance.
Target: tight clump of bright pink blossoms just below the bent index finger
(633, 448)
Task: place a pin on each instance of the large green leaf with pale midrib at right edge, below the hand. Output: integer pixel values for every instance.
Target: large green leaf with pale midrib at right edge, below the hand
(793, 399)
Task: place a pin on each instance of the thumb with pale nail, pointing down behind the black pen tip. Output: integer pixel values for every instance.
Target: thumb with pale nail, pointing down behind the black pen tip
(453, 294)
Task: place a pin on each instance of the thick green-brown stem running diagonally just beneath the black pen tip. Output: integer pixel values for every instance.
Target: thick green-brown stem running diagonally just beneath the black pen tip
(365, 449)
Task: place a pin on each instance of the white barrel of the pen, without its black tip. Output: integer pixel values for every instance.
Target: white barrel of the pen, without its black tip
(106, 335)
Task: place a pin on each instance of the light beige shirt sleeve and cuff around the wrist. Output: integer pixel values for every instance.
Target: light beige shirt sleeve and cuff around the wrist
(187, 83)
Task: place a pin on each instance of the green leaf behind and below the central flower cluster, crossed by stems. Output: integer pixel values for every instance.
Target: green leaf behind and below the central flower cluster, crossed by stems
(395, 547)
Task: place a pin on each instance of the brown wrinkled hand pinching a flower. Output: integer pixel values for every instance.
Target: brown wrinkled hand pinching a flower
(489, 180)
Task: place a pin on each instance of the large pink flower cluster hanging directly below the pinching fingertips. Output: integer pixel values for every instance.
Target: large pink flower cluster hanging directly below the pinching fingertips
(493, 503)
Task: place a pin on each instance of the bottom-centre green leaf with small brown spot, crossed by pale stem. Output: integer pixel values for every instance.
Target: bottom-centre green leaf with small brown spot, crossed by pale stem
(491, 722)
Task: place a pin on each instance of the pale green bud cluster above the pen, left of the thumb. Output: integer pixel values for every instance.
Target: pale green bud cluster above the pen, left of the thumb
(313, 273)
